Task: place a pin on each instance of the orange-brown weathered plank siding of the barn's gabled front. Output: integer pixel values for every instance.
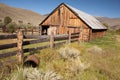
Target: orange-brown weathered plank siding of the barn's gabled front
(63, 17)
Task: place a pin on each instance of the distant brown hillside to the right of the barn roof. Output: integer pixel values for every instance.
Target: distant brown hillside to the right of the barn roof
(114, 23)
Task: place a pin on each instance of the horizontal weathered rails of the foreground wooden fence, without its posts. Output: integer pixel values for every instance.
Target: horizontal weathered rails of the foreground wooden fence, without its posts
(36, 39)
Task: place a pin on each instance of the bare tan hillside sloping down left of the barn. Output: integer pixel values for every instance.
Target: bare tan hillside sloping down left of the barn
(18, 14)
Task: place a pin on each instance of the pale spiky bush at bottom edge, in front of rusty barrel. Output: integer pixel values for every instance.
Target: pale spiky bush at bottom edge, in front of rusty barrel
(35, 74)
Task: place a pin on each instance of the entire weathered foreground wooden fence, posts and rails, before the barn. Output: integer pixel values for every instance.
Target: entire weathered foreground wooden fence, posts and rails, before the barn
(67, 38)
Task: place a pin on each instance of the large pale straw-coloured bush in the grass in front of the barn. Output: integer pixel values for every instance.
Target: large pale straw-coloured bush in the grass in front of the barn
(72, 58)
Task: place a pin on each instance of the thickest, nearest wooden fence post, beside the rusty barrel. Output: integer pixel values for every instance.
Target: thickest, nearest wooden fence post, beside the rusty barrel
(19, 46)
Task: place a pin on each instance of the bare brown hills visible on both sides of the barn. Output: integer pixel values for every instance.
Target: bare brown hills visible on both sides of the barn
(27, 16)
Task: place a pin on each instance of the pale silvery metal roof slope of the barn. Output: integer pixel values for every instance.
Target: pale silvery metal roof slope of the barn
(88, 19)
